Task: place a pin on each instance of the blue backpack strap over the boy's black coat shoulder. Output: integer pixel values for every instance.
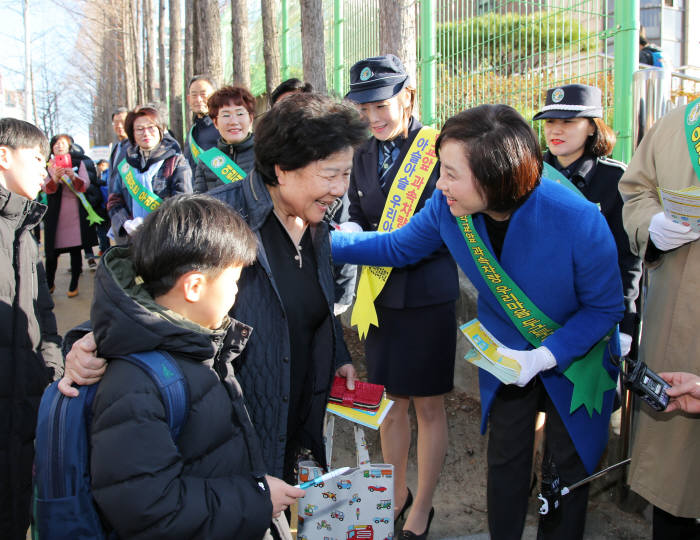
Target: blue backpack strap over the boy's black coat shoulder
(168, 377)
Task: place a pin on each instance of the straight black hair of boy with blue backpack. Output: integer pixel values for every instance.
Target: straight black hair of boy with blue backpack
(186, 233)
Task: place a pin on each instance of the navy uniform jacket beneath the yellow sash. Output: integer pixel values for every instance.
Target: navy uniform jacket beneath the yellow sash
(434, 279)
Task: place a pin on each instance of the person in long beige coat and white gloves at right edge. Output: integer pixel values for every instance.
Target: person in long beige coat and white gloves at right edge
(665, 468)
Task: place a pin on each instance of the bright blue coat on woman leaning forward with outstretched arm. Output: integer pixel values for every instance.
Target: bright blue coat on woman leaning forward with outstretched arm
(560, 251)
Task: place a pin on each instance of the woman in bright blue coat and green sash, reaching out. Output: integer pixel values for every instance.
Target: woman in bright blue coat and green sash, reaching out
(557, 250)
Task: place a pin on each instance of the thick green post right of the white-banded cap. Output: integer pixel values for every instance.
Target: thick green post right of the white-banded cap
(626, 63)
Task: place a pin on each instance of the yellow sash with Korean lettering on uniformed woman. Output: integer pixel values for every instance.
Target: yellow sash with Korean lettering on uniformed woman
(405, 192)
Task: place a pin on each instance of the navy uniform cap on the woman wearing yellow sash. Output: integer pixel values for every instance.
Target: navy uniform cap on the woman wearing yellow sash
(376, 79)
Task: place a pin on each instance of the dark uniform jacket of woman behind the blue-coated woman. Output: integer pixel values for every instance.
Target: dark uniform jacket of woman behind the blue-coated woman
(597, 178)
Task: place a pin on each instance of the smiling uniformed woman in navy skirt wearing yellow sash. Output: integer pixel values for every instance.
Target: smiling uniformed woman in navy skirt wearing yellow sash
(418, 300)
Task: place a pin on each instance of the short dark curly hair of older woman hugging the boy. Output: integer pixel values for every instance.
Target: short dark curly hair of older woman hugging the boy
(303, 128)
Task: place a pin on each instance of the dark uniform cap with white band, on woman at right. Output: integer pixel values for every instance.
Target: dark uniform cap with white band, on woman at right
(572, 101)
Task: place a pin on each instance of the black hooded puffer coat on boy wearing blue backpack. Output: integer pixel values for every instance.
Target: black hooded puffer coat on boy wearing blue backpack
(211, 483)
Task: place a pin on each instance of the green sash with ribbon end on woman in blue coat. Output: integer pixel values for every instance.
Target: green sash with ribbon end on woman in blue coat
(590, 379)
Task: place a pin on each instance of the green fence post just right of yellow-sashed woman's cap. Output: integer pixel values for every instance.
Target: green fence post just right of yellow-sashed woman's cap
(428, 52)
